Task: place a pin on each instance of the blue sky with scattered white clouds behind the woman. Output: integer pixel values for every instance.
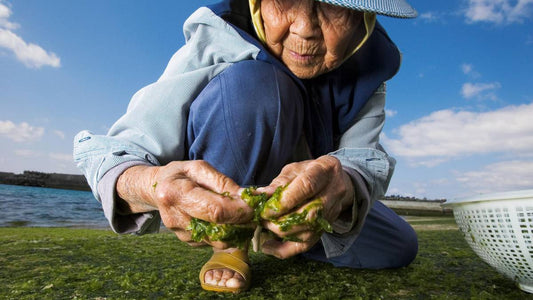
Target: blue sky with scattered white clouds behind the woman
(459, 111)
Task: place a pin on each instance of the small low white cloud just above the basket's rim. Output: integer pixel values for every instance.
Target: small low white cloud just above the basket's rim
(499, 177)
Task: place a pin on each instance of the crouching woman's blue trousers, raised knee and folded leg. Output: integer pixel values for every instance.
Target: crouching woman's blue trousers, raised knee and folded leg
(247, 122)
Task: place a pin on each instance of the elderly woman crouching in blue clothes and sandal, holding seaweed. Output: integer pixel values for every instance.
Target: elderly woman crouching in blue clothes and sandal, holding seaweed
(267, 93)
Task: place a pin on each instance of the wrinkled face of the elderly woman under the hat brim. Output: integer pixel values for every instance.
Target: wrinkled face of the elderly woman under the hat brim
(310, 37)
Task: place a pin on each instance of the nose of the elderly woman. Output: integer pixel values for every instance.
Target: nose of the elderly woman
(305, 21)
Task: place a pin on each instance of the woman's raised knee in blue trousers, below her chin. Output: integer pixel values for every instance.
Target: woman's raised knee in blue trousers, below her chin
(258, 110)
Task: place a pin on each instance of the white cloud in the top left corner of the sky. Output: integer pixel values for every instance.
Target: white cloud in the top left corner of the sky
(31, 55)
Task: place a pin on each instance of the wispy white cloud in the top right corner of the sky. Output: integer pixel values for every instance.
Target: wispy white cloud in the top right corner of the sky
(498, 11)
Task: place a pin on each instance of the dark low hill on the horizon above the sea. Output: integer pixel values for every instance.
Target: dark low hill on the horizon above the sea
(50, 180)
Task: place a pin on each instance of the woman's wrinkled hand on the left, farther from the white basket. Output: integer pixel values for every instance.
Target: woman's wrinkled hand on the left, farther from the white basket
(182, 190)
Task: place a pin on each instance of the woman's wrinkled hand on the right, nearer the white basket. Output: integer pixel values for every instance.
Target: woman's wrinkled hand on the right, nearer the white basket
(308, 180)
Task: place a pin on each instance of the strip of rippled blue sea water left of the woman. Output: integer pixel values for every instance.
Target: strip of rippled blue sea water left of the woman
(46, 207)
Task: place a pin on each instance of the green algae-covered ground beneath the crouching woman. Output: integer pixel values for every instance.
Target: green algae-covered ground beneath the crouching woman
(61, 263)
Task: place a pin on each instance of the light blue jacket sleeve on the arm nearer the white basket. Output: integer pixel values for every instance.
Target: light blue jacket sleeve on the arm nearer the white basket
(369, 167)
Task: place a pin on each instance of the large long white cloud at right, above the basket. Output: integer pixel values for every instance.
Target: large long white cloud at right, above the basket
(448, 134)
